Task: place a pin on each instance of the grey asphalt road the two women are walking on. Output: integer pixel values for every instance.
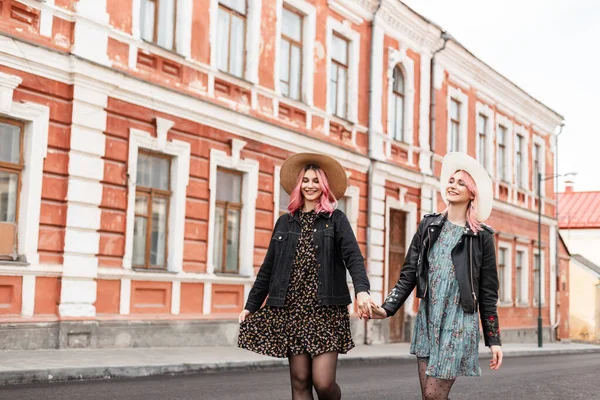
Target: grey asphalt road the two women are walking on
(523, 378)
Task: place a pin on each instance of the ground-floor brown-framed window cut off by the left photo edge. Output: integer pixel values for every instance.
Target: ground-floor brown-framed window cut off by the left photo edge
(11, 167)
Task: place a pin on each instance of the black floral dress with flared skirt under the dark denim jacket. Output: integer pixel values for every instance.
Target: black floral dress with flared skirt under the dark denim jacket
(302, 325)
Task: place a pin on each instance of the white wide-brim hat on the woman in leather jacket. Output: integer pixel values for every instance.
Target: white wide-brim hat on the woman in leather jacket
(456, 161)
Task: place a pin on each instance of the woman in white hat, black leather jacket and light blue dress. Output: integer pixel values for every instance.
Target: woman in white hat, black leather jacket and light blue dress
(452, 262)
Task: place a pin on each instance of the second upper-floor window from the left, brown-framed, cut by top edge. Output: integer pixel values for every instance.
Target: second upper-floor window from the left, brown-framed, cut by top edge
(231, 36)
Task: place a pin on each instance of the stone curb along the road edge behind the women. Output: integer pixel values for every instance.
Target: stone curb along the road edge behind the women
(124, 372)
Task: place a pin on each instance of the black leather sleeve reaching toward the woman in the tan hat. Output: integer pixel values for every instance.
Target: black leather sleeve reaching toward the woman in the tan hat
(408, 275)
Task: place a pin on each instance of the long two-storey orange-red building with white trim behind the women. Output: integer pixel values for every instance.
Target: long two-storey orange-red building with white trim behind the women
(142, 142)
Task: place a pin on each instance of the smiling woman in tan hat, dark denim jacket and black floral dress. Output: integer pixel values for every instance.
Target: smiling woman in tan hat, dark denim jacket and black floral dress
(305, 318)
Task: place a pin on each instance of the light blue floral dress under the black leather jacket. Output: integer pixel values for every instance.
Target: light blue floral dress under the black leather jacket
(443, 332)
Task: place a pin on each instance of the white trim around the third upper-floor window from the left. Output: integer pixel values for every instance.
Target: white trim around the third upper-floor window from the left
(309, 27)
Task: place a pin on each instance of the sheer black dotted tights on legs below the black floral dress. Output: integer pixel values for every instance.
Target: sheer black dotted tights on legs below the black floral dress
(318, 371)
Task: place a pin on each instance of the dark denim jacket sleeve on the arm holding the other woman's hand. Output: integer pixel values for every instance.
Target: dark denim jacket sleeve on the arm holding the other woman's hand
(350, 252)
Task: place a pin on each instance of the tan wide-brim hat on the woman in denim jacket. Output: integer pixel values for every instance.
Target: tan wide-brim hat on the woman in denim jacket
(291, 168)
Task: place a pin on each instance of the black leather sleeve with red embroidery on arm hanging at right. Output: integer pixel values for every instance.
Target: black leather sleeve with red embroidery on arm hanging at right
(488, 293)
